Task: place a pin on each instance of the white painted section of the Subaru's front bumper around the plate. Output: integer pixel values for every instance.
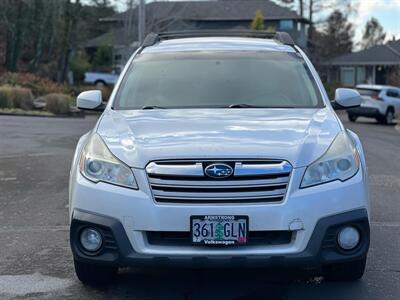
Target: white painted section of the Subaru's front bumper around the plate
(138, 213)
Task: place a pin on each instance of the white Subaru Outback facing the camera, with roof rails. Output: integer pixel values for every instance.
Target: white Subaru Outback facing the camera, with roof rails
(219, 150)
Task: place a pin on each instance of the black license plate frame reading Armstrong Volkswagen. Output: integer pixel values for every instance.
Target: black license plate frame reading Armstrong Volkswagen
(223, 219)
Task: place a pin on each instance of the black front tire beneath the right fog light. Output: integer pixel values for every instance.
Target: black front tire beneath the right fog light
(350, 271)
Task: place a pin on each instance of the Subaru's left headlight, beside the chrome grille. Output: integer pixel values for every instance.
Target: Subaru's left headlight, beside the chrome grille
(97, 164)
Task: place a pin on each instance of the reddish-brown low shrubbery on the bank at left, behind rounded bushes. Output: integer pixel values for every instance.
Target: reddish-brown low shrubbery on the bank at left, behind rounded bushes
(38, 85)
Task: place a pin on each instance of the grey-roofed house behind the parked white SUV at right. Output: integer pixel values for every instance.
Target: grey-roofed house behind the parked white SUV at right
(375, 65)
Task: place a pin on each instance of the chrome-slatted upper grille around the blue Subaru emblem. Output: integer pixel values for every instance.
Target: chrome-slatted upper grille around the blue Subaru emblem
(252, 181)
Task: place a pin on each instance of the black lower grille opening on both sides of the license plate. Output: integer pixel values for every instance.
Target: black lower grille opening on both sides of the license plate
(182, 238)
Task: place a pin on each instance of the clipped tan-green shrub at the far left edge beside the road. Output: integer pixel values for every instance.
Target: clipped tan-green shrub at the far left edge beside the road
(16, 97)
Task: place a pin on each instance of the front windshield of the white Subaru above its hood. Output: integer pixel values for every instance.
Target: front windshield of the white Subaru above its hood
(218, 79)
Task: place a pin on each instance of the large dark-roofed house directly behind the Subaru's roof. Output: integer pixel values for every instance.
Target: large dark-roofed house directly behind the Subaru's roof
(197, 15)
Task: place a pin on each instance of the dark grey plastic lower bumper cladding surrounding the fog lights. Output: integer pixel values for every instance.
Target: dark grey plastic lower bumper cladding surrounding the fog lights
(322, 248)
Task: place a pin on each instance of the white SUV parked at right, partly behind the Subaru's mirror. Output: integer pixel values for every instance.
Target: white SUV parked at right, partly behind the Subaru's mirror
(381, 102)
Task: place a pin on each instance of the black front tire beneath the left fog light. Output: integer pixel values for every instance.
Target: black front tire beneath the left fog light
(93, 274)
